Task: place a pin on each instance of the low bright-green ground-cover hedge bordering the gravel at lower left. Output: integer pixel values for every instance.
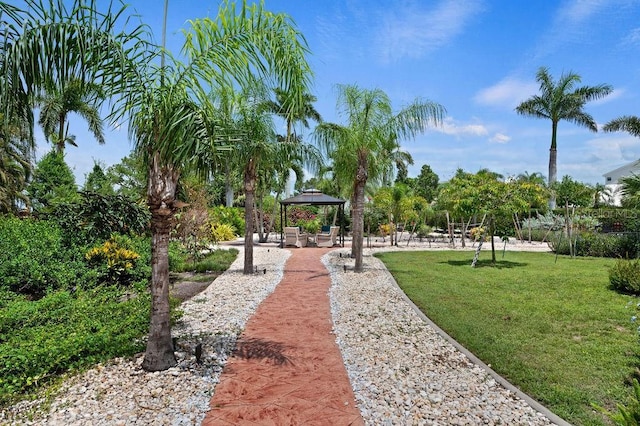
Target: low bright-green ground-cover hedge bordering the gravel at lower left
(63, 331)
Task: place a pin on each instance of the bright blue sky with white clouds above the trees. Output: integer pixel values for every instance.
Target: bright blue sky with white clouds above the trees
(478, 58)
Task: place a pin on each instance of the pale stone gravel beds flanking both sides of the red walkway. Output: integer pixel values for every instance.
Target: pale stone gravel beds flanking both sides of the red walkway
(402, 371)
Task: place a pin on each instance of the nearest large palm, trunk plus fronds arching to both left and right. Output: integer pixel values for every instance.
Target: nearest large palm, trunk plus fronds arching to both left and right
(161, 104)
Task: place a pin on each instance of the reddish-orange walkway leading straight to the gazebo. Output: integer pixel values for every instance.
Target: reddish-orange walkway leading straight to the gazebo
(287, 368)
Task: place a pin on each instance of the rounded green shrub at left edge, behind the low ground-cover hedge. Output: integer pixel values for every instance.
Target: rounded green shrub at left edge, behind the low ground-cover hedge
(33, 259)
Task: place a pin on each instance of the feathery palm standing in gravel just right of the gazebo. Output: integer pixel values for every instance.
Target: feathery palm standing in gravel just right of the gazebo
(356, 147)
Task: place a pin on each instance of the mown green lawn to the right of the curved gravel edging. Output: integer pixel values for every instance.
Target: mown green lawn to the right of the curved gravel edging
(552, 328)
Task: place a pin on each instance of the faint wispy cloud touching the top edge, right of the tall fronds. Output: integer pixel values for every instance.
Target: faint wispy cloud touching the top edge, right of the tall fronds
(412, 31)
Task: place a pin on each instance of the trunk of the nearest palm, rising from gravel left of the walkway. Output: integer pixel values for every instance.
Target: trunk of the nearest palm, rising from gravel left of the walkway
(161, 192)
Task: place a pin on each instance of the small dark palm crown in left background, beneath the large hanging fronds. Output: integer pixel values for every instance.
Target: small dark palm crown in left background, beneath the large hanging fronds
(67, 97)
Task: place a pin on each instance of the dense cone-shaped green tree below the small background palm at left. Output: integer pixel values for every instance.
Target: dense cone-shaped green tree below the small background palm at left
(53, 182)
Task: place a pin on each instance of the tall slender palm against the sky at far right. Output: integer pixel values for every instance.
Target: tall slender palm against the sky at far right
(561, 100)
